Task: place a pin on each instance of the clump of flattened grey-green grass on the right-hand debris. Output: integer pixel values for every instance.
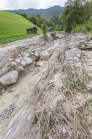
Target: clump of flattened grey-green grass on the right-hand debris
(77, 77)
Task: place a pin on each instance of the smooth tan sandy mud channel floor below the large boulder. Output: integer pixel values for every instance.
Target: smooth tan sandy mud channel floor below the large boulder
(18, 93)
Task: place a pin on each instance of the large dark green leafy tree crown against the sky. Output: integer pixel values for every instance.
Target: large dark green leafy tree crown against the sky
(76, 12)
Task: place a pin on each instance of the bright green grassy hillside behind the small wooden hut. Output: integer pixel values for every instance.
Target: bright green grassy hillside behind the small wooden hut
(13, 27)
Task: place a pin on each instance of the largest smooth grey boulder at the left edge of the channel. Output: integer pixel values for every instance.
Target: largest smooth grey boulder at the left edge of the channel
(9, 78)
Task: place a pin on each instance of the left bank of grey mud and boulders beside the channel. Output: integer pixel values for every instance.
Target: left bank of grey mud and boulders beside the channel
(18, 58)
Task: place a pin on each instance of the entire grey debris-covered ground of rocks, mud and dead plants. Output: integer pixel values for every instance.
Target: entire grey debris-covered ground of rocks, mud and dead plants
(53, 99)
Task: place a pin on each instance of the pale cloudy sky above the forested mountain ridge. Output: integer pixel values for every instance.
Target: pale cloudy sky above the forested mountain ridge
(25, 4)
